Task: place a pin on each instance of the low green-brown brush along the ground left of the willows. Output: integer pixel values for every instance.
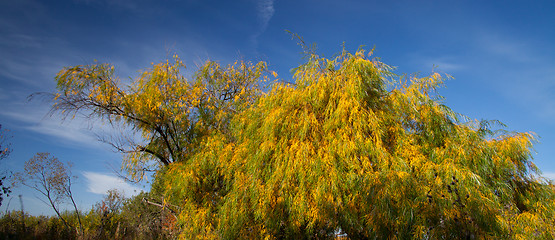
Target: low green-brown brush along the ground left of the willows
(113, 218)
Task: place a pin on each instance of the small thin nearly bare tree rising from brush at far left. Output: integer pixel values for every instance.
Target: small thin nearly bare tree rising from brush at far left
(52, 178)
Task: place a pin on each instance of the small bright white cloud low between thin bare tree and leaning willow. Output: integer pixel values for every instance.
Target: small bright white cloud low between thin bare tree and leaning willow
(99, 183)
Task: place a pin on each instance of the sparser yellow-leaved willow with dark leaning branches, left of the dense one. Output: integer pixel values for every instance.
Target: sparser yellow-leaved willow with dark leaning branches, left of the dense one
(166, 115)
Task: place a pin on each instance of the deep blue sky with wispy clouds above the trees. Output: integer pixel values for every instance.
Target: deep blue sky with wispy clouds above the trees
(501, 54)
